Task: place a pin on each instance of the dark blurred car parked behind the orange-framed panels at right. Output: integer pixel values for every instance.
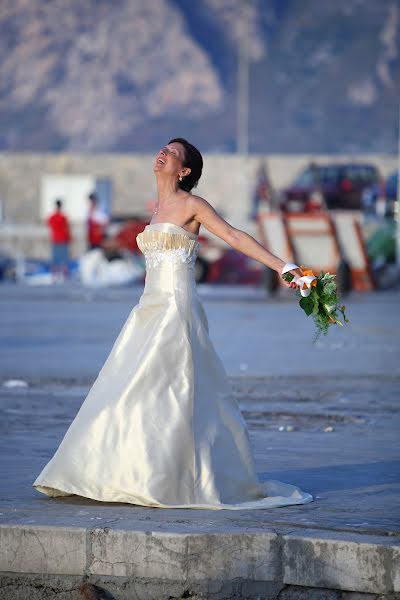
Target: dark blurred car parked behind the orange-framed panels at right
(321, 187)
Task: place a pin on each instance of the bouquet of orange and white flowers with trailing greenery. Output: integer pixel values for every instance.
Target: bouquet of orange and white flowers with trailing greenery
(318, 297)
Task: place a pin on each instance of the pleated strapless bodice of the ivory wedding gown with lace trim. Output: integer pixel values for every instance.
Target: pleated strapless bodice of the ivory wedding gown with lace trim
(167, 244)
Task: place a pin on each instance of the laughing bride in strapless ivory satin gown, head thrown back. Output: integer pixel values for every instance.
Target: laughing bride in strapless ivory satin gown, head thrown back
(160, 427)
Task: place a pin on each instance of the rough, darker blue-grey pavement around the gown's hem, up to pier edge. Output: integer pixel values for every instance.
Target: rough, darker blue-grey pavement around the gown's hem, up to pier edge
(353, 470)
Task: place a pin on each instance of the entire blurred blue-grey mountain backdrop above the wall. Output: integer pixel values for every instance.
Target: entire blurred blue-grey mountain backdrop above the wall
(124, 75)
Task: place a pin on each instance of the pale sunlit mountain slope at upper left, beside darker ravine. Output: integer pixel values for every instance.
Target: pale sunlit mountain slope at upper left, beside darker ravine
(86, 74)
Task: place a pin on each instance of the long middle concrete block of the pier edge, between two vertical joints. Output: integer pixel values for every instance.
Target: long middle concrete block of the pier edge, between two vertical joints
(193, 557)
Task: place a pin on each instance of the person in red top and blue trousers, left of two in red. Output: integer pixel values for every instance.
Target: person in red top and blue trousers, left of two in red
(60, 238)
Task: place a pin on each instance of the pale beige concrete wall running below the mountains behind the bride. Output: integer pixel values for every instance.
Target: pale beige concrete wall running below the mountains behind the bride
(228, 182)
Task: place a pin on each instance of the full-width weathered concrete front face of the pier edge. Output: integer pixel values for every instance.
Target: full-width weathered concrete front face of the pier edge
(312, 558)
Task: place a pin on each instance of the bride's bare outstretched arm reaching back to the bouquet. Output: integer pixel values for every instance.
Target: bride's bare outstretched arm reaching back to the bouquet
(205, 214)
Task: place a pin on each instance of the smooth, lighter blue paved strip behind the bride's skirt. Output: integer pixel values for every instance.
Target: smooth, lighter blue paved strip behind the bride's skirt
(67, 332)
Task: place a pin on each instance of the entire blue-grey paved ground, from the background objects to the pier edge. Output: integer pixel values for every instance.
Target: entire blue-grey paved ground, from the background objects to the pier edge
(324, 416)
